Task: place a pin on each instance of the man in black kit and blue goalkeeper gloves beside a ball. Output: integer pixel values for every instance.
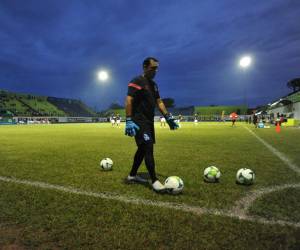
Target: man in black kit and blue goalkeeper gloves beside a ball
(142, 97)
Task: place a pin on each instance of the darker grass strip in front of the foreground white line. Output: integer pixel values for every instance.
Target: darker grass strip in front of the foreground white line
(38, 219)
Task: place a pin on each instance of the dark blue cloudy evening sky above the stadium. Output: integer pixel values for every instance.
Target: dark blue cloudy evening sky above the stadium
(55, 48)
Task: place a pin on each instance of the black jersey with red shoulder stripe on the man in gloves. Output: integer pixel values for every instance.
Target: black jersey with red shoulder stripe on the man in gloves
(145, 93)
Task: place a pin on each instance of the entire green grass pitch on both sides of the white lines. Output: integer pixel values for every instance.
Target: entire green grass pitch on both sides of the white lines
(69, 155)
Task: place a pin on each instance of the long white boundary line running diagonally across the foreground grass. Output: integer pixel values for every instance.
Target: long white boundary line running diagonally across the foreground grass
(168, 205)
